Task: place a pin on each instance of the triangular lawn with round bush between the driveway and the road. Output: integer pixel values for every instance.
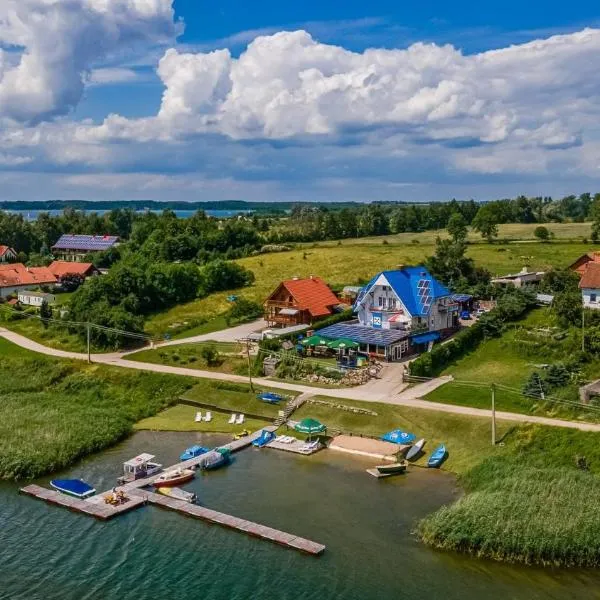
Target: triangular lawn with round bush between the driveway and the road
(188, 355)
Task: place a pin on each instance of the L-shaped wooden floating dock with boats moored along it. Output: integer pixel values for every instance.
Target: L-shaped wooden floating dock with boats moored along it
(136, 497)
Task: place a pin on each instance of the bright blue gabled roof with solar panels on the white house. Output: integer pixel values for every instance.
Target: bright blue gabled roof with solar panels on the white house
(416, 287)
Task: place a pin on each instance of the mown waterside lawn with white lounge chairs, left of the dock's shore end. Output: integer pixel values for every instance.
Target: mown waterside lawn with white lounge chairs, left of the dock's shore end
(181, 418)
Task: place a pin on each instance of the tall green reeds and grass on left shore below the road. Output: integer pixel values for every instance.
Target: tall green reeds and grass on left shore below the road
(54, 411)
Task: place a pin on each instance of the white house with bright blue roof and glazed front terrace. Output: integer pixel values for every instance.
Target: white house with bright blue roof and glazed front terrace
(399, 312)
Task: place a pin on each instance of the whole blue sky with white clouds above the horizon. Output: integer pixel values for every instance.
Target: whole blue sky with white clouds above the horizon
(327, 101)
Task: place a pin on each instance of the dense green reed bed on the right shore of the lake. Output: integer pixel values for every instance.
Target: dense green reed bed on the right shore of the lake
(538, 505)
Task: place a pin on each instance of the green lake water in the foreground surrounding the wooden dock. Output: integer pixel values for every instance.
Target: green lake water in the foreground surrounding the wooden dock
(50, 553)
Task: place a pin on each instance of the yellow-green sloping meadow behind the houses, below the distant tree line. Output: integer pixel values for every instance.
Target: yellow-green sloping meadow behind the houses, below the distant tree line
(356, 261)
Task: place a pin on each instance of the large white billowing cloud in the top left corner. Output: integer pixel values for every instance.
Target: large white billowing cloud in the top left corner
(59, 42)
